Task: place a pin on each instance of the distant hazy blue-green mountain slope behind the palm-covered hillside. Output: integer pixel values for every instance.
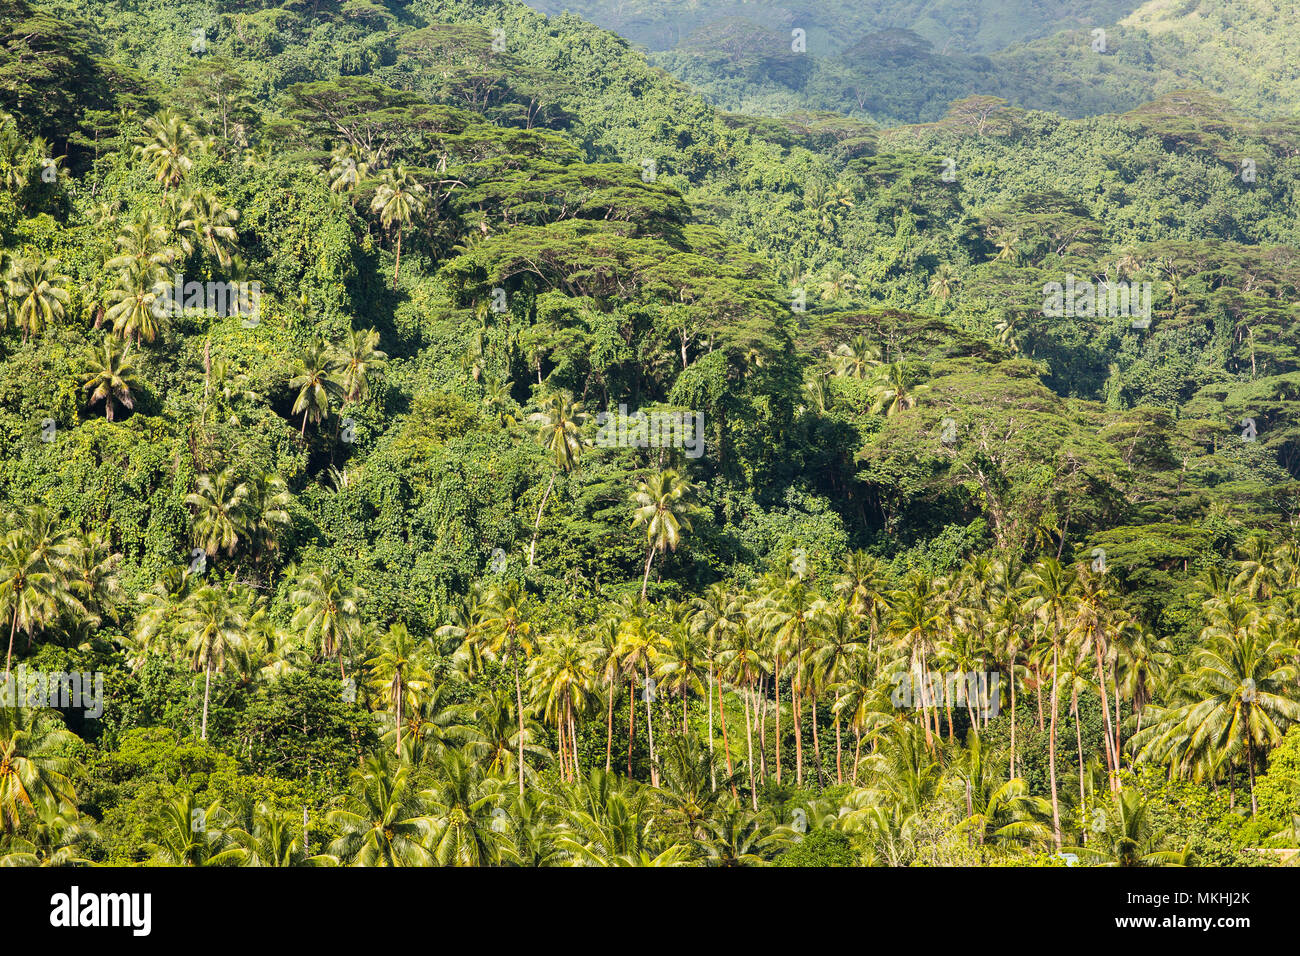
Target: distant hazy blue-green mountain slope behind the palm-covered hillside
(903, 62)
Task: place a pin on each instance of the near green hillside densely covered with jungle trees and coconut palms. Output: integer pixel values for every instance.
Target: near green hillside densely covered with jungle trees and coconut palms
(432, 434)
